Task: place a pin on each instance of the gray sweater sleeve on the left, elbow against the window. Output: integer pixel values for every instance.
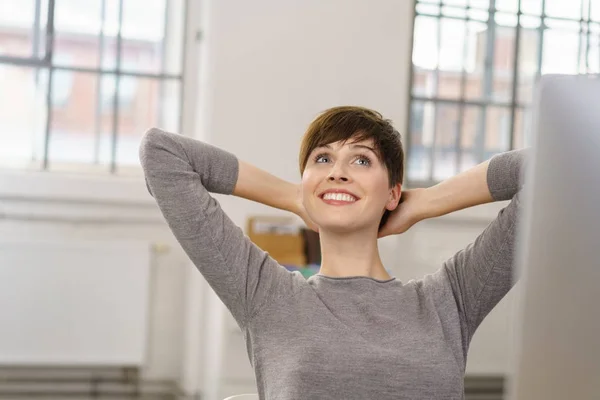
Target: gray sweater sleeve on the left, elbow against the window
(180, 173)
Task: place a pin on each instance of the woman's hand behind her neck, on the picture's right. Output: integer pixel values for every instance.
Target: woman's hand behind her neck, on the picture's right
(410, 210)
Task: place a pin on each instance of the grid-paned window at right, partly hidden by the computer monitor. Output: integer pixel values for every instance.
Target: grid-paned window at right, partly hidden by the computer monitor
(474, 66)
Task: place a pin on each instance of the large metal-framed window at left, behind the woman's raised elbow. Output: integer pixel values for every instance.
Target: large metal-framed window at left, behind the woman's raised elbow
(87, 79)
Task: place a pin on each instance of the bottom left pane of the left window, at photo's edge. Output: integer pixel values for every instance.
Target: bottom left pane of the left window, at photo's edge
(22, 116)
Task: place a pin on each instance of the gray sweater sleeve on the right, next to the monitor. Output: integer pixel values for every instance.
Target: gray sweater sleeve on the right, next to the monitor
(481, 274)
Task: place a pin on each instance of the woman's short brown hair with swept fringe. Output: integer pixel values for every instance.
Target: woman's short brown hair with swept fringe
(357, 123)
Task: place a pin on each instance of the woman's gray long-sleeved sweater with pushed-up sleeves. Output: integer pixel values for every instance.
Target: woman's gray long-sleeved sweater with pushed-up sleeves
(334, 338)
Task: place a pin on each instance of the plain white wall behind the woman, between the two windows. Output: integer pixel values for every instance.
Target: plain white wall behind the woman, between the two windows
(272, 65)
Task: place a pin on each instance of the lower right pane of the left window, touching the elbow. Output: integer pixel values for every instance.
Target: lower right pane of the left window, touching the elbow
(145, 103)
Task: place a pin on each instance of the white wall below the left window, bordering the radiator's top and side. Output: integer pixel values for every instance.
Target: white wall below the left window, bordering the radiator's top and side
(66, 217)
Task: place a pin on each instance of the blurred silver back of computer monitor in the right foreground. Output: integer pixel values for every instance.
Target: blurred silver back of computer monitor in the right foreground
(557, 333)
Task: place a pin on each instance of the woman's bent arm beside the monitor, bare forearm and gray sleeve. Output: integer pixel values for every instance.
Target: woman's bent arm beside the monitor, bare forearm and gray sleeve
(482, 273)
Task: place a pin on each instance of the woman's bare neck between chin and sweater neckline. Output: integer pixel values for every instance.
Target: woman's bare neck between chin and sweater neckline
(351, 254)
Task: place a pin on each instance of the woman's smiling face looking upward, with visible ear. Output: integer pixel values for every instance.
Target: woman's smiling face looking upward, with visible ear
(346, 188)
